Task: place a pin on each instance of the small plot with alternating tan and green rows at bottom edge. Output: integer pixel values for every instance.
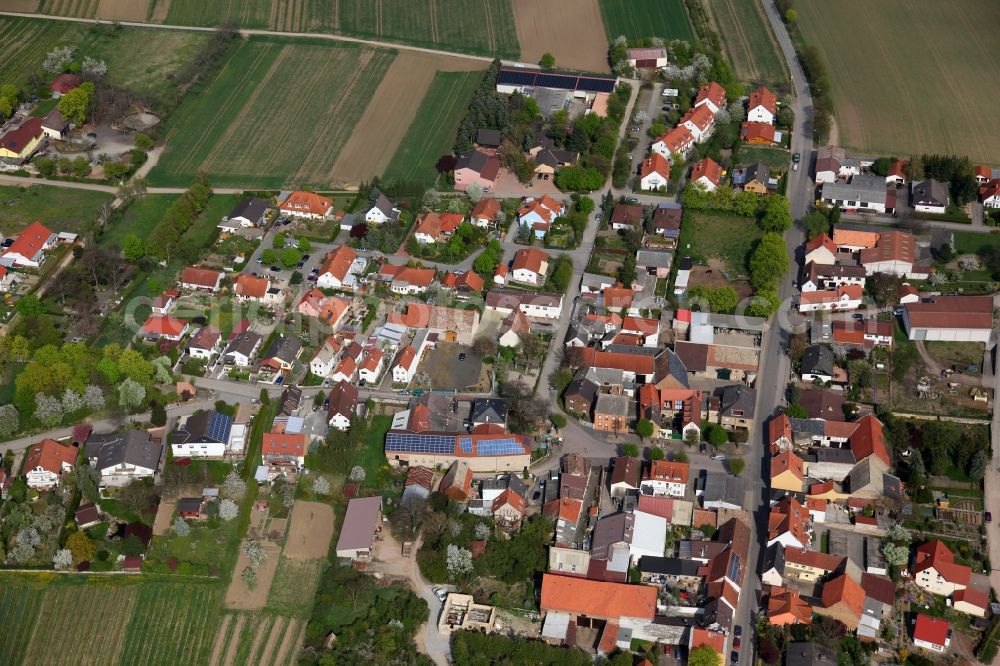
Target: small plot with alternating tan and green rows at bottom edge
(257, 638)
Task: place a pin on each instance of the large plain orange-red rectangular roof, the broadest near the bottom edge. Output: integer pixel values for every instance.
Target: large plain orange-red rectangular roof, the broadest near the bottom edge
(597, 599)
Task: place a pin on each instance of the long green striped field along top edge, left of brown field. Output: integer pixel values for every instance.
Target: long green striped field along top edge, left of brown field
(485, 27)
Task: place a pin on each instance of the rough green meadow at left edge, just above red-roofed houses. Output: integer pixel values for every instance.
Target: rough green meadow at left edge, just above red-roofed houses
(58, 208)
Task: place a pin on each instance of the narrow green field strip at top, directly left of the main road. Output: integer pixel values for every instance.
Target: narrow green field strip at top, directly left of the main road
(750, 45)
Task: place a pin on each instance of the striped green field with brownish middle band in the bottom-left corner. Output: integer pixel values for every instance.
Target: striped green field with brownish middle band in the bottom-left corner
(127, 620)
